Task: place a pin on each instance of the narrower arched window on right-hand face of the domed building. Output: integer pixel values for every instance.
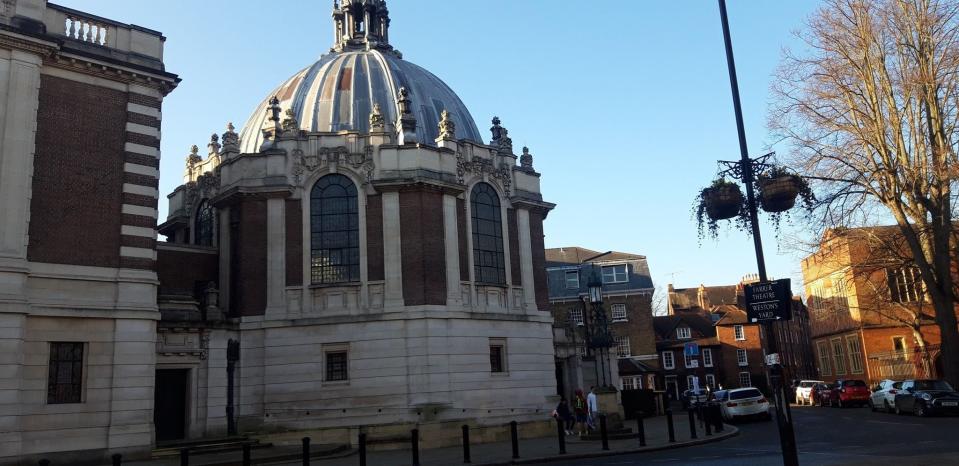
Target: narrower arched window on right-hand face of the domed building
(489, 265)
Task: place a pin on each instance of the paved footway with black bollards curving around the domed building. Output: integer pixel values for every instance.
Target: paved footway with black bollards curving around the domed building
(536, 450)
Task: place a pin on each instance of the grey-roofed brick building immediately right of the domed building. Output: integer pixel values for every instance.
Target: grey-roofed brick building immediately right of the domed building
(627, 301)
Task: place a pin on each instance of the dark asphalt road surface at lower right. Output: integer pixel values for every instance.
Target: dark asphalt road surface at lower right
(825, 436)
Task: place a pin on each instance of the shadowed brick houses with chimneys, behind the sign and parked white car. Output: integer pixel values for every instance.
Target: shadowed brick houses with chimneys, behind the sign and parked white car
(735, 344)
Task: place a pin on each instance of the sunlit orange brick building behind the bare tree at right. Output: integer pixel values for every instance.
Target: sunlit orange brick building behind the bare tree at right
(868, 313)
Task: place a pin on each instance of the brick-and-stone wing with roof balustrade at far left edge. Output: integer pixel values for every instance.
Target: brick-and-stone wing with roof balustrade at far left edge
(80, 112)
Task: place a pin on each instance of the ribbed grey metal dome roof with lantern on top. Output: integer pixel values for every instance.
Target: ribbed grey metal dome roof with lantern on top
(338, 92)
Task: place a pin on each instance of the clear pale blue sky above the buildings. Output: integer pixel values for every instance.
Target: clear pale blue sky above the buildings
(624, 105)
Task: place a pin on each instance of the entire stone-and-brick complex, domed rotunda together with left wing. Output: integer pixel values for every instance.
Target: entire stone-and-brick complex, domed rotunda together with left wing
(355, 255)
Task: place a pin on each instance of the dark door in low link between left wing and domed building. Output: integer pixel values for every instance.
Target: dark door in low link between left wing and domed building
(169, 409)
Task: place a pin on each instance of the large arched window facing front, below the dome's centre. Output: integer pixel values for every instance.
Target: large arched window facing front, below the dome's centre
(334, 231)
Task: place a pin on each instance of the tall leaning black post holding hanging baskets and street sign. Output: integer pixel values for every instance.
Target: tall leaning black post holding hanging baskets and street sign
(745, 172)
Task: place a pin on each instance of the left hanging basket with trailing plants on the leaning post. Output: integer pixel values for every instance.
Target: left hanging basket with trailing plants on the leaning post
(722, 200)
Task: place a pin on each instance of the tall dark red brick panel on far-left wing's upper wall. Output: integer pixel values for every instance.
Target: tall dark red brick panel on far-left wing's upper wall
(75, 210)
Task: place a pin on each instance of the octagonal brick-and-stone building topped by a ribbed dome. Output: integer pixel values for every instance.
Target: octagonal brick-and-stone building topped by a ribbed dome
(355, 255)
